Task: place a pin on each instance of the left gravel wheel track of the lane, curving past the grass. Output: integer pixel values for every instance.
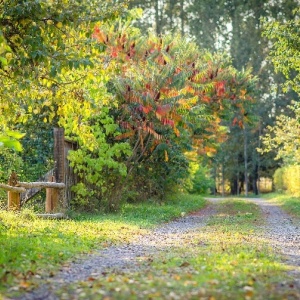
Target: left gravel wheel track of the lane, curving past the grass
(125, 257)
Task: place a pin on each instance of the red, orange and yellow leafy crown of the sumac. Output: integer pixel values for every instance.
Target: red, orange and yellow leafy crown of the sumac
(168, 82)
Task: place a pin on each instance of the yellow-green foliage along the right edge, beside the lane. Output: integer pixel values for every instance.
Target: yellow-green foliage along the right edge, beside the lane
(283, 137)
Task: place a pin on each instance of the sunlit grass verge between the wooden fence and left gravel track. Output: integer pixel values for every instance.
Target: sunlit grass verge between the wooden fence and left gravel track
(33, 248)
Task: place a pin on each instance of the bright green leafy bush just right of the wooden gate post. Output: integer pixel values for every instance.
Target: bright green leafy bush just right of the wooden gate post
(98, 162)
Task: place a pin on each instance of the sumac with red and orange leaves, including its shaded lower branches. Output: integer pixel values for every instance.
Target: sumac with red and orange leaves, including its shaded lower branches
(171, 97)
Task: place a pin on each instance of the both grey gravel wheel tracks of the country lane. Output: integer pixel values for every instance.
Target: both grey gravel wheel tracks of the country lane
(282, 233)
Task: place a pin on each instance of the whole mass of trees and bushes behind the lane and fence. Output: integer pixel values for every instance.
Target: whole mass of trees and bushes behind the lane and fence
(172, 99)
